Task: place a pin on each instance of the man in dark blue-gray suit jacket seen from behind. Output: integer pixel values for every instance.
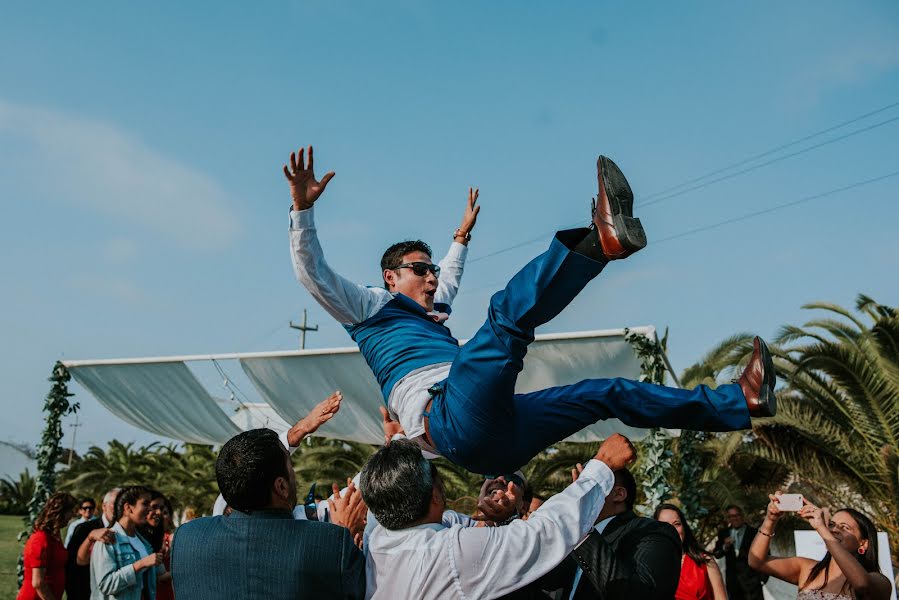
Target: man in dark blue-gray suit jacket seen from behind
(260, 551)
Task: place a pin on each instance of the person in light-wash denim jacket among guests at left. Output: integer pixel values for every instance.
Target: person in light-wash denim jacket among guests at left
(126, 568)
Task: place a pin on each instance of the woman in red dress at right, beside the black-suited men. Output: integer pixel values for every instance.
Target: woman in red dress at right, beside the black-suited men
(700, 577)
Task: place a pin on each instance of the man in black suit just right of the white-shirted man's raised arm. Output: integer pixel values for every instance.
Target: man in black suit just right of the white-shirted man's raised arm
(625, 556)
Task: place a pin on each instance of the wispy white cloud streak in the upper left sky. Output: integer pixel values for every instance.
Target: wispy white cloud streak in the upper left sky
(98, 165)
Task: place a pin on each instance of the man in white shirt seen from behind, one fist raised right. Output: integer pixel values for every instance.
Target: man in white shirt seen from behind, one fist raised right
(411, 553)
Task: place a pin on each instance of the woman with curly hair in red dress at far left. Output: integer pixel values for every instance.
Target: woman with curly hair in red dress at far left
(45, 556)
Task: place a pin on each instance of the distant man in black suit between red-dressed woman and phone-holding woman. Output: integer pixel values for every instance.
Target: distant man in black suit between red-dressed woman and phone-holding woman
(733, 544)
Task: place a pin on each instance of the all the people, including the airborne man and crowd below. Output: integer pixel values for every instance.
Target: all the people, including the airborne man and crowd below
(389, 533)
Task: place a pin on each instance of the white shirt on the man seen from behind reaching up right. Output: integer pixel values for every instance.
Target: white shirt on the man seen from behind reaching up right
(434, 561)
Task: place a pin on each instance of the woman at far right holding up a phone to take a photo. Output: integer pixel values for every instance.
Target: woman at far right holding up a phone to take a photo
(849, 569)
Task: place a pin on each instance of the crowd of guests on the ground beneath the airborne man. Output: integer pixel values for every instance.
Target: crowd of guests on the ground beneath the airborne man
(388, 533)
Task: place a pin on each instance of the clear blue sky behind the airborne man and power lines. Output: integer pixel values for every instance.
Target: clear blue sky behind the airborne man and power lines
(141, 148)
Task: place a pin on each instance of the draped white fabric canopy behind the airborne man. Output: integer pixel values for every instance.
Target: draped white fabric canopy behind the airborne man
(165, 396)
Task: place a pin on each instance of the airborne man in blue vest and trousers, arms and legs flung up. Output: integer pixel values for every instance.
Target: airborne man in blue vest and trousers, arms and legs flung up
(455, 401)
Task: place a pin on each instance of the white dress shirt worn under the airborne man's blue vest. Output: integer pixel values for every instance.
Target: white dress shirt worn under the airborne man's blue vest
(351, 303)
